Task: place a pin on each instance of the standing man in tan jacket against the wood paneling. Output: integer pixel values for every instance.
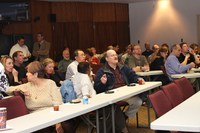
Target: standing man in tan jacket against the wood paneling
(41, 48)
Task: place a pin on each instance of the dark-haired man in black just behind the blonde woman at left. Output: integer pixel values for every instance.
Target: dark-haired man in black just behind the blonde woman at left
(18, 59)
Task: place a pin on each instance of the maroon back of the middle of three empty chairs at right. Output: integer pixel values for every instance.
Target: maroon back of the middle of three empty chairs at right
(173, 93)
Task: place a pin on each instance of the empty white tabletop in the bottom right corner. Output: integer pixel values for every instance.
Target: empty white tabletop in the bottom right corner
(184, 117)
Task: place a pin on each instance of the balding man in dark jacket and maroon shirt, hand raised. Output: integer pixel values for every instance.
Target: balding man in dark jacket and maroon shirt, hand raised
(113, 75)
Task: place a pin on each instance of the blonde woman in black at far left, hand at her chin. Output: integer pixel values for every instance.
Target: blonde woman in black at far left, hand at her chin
(10, 72)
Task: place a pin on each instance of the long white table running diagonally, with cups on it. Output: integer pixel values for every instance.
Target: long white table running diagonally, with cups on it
(44, 118)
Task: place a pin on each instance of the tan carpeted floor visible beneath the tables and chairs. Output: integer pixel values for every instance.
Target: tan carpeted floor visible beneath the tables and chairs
(131, 123)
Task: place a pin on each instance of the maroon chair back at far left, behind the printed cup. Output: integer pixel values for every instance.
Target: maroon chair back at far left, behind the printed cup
(15, 107)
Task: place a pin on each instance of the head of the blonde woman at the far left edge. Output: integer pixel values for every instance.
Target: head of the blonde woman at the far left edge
(7, 62)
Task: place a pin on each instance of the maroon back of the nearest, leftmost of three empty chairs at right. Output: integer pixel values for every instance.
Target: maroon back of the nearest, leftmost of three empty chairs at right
(160, 103)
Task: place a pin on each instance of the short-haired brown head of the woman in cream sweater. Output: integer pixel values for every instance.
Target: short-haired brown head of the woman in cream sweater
(34, 70)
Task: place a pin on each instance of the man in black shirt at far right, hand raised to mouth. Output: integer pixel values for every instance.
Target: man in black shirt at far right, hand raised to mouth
(187, 55)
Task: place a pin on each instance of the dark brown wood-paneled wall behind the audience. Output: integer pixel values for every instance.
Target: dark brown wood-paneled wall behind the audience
(78, 25)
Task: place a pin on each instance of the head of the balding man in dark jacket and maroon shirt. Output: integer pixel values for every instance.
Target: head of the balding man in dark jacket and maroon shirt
(111, 57)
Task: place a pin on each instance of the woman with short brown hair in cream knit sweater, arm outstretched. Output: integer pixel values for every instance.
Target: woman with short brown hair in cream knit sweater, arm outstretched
(39, 93)
